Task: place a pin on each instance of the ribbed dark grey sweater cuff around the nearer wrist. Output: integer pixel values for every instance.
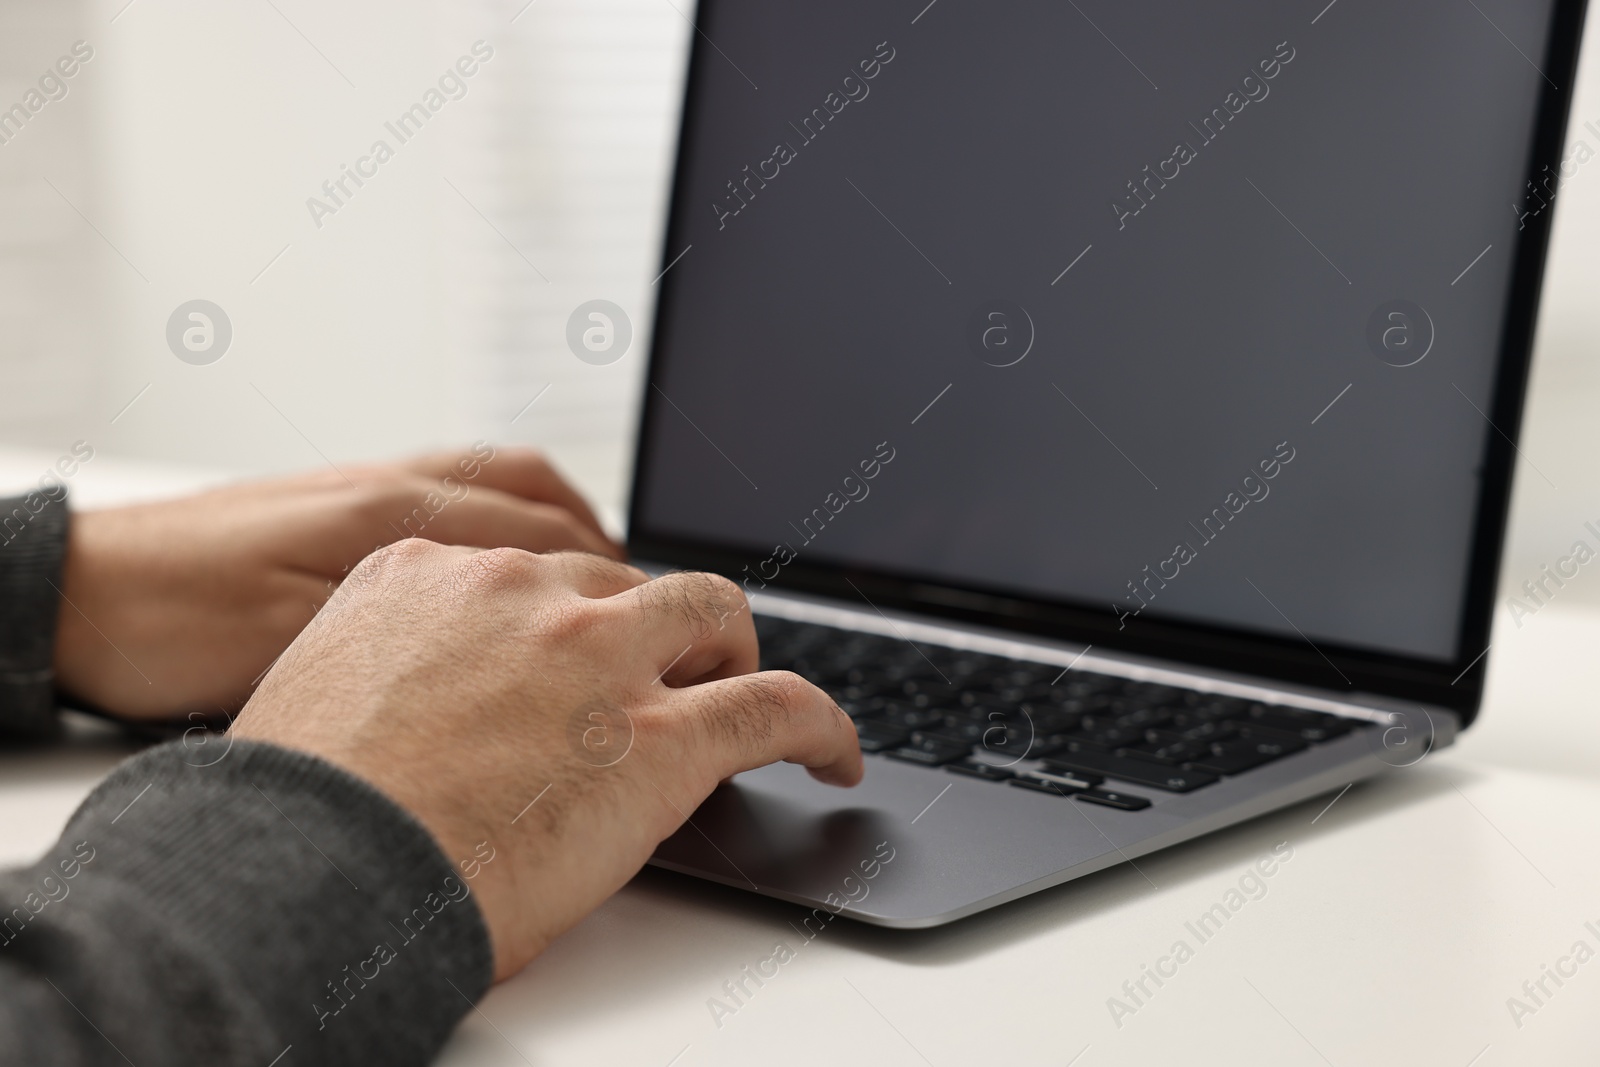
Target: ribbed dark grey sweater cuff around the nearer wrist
(326, 906)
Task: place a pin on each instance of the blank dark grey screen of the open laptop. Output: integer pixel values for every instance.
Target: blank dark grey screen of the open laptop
(1167, 314)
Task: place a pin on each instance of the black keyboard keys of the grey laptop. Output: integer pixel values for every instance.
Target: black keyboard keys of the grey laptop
(1034, 725)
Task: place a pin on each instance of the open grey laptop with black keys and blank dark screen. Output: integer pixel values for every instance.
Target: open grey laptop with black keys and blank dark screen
(1113, 407)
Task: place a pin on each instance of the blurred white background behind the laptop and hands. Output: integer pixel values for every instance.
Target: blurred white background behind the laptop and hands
(431, 308)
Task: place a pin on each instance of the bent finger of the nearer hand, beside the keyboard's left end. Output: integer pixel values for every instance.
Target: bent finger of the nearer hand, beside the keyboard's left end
(690, 628)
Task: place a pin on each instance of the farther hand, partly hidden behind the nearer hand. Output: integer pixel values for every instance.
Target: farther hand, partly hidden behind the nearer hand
(180, 607)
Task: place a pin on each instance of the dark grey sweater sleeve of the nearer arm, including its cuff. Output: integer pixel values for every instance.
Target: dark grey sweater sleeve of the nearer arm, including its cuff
(266, 908)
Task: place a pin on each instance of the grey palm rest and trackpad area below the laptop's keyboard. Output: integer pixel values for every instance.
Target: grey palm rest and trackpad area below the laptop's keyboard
(910, 847)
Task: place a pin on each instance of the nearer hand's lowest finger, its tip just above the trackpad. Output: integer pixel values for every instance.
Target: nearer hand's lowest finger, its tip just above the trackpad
(761, 719)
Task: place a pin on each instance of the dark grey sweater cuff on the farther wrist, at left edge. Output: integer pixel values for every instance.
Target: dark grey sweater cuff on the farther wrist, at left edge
(33, 548)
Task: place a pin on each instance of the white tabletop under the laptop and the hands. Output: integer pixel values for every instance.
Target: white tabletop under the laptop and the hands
(1410, 913)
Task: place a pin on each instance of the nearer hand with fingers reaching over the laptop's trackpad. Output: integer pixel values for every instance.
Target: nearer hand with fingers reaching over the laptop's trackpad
(559, 708)
